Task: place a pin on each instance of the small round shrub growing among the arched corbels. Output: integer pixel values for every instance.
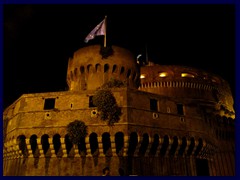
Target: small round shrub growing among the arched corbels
(76, 130)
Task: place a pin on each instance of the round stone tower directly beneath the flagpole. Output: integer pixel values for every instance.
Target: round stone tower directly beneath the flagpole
(88, 70)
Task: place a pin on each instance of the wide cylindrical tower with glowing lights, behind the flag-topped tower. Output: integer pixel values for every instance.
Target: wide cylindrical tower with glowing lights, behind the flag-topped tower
(187, 82)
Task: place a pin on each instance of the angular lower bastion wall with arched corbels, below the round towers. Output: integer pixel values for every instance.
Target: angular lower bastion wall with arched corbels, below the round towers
(159, 138)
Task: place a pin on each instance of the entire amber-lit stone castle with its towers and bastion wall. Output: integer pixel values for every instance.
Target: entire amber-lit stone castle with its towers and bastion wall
(168, 121)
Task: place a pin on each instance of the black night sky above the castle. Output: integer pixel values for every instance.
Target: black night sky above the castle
(39, 39)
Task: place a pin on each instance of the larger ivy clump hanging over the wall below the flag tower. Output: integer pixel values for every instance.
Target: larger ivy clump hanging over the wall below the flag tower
(106, 102)
